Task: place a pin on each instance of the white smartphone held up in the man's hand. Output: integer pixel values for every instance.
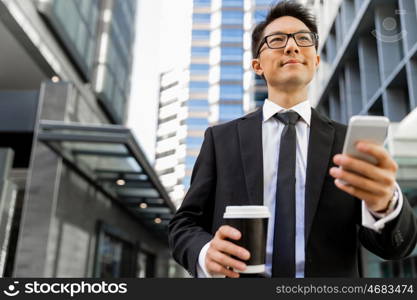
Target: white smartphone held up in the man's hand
(365, 128)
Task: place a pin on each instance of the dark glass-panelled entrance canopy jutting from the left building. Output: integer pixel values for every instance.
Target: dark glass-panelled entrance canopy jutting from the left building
(109, 157)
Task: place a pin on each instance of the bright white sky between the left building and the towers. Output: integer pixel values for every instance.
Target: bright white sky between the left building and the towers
(162, 33)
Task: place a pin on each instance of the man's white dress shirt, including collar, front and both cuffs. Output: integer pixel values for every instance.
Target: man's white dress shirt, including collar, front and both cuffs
(271, 135)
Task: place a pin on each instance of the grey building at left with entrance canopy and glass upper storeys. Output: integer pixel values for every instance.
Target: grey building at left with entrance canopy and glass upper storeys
(78, 196)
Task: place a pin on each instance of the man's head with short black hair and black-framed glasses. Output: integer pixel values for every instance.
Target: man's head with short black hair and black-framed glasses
(280, 58)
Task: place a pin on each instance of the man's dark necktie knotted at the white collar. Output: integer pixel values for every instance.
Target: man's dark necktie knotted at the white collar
(283, 258)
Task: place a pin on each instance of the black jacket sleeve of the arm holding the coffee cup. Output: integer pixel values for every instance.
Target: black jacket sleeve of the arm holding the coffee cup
(189, 229)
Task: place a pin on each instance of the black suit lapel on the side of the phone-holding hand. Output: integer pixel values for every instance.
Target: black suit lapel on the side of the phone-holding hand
(319, 150)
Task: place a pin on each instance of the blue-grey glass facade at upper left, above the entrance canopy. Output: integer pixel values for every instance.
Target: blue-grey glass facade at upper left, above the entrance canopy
(98, 36)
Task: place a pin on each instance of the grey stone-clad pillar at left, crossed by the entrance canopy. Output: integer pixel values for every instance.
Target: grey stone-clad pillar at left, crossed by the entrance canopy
(37, 242)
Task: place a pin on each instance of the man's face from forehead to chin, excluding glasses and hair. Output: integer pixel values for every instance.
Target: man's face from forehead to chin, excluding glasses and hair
(274, 64)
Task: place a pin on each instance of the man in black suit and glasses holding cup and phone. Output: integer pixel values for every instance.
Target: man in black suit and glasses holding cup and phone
(287, 156)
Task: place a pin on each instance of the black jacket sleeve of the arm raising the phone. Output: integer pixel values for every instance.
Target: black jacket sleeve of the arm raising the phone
(398, 237)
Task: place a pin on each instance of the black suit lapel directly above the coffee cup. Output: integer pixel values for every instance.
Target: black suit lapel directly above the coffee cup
(250, 139)
